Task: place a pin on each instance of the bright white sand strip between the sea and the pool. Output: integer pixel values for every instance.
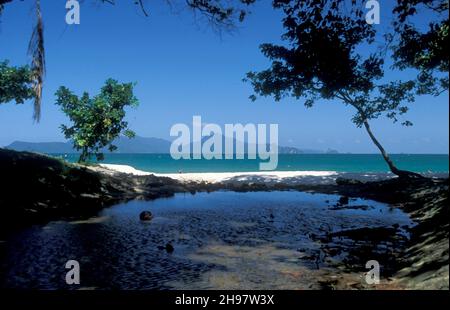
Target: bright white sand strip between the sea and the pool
(214, 177)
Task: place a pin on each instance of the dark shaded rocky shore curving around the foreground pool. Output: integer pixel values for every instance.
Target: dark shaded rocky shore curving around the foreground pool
(36, 189)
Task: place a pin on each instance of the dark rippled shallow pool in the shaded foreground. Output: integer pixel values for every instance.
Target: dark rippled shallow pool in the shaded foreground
(256, 240)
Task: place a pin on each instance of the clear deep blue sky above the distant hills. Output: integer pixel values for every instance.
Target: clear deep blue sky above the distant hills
(183, 69)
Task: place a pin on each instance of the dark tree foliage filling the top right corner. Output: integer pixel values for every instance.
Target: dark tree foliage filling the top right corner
(423, 48)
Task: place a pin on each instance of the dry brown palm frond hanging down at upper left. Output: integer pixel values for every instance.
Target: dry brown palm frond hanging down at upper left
(37, 52)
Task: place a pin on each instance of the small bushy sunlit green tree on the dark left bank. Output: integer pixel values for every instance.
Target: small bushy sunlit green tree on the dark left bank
(97, 121)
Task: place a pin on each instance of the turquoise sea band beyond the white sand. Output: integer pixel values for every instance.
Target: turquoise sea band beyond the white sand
(163, 163)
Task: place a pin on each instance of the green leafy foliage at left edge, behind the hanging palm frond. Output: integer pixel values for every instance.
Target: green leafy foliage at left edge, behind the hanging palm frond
(15, 83)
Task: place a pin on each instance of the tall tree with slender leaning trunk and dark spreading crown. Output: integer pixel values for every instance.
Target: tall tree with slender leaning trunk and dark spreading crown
(331, 53)
